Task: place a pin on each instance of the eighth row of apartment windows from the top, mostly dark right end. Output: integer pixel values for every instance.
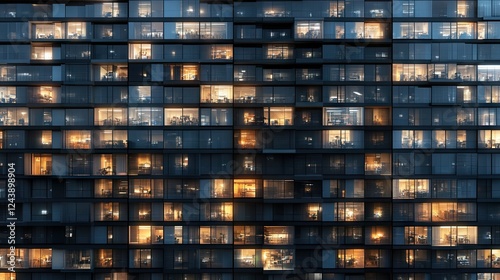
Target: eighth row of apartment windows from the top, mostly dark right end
(403, 163)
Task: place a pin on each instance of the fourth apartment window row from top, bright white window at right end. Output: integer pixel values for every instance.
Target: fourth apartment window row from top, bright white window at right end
(182, 74)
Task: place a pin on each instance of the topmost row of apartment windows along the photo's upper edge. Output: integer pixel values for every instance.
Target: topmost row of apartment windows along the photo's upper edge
(266, 9)
